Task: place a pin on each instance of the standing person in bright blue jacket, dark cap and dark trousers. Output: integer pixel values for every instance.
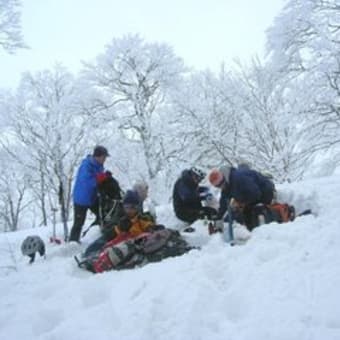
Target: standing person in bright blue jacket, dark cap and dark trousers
(85, 189)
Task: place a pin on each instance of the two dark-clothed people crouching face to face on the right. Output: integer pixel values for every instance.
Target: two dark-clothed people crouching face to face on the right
(242, 189)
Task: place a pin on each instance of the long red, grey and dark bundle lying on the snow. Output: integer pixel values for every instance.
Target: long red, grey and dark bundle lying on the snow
(147, 247)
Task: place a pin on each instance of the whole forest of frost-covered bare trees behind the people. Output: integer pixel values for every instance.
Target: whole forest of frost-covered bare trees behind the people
(156, 116)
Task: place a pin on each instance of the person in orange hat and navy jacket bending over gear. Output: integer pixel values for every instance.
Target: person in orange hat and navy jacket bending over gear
(243, 188)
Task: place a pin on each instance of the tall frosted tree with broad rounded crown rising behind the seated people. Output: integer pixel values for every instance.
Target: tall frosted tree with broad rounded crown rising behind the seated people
(134, 79)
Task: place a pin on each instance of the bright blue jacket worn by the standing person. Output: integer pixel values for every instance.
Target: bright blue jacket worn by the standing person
(85, 187)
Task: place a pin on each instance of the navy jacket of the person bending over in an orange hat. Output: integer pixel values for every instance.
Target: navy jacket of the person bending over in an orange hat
(246, 186)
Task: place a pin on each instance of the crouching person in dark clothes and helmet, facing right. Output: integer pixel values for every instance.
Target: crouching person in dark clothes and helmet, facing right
(188, 197)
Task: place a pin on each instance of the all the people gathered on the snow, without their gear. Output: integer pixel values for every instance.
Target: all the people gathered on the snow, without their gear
(241, 187)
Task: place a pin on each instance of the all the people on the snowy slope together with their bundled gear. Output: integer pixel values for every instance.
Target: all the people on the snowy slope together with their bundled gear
(130, 235)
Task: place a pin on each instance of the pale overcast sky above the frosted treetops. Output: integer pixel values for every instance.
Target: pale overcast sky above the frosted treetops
(203, 32)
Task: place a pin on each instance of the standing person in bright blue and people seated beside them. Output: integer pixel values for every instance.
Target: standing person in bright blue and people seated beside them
(128, 215)
